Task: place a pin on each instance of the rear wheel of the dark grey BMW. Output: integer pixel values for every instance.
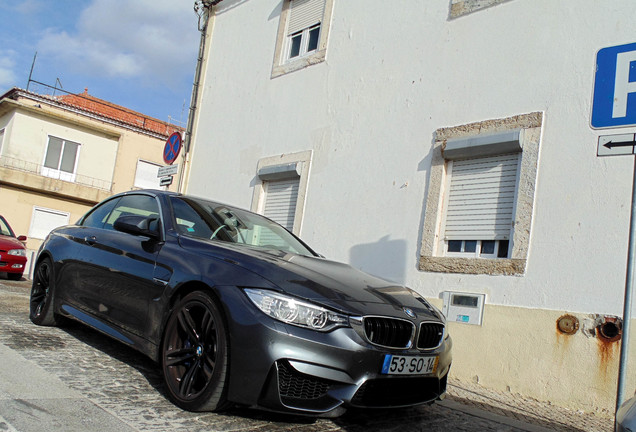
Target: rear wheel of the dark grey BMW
(41, 301)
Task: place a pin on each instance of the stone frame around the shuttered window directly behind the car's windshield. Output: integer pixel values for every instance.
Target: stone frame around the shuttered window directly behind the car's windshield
(302, 164)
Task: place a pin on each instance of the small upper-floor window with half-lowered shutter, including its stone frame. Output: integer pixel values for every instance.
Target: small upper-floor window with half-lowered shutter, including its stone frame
(302, 34)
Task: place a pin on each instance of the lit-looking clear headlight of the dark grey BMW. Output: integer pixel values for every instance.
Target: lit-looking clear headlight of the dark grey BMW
(293, 311)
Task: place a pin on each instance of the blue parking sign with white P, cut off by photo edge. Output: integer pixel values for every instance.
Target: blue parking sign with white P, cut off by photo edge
(614, 101)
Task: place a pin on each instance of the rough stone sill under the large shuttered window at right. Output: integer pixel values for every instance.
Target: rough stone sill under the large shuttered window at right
(495, 267)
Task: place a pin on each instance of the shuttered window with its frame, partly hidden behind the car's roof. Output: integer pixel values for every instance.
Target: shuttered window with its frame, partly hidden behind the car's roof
(283, 184)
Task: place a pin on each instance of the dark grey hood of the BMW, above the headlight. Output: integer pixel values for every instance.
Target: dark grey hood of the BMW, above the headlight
(330, 283)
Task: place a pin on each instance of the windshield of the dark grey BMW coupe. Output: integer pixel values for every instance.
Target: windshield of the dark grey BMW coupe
(205, 219)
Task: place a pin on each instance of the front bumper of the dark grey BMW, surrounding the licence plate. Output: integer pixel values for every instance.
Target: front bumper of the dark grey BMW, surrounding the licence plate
(290, 369)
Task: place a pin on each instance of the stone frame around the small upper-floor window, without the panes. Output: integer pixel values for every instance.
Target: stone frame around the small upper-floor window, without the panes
(284, 66)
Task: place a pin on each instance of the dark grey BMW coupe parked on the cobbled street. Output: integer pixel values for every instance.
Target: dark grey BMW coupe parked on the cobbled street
(237, 310)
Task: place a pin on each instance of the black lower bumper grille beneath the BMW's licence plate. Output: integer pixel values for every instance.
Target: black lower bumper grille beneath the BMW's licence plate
(396, 392)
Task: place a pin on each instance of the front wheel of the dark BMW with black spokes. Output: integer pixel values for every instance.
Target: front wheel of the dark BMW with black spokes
(194, 354)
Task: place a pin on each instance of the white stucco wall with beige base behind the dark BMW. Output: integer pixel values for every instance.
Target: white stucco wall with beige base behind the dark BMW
(393, 76)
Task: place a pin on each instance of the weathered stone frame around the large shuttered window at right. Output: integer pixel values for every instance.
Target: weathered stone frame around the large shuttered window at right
(431, 252)
